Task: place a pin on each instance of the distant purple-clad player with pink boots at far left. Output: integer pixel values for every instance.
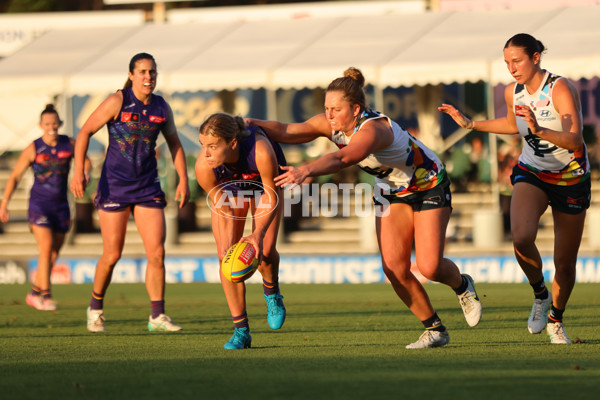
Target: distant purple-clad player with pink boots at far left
(49, 215)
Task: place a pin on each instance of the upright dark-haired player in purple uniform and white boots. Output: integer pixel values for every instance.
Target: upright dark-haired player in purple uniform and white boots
(129, 184)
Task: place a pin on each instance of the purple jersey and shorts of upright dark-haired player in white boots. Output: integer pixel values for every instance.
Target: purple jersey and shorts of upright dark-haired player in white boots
(129, 173)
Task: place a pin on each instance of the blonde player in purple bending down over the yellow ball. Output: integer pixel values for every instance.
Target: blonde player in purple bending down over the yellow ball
(237, 167)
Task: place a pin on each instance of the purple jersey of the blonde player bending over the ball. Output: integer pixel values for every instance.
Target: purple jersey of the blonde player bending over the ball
(245, 170)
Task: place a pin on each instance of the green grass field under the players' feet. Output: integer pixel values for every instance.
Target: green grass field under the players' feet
(339, 342)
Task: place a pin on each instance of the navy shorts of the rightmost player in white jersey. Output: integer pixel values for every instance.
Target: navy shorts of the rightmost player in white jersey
(572, 199)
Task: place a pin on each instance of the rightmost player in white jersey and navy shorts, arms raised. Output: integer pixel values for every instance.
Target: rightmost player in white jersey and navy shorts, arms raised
(553, 170)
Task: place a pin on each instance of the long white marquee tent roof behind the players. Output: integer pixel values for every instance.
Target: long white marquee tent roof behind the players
(394, 49)
